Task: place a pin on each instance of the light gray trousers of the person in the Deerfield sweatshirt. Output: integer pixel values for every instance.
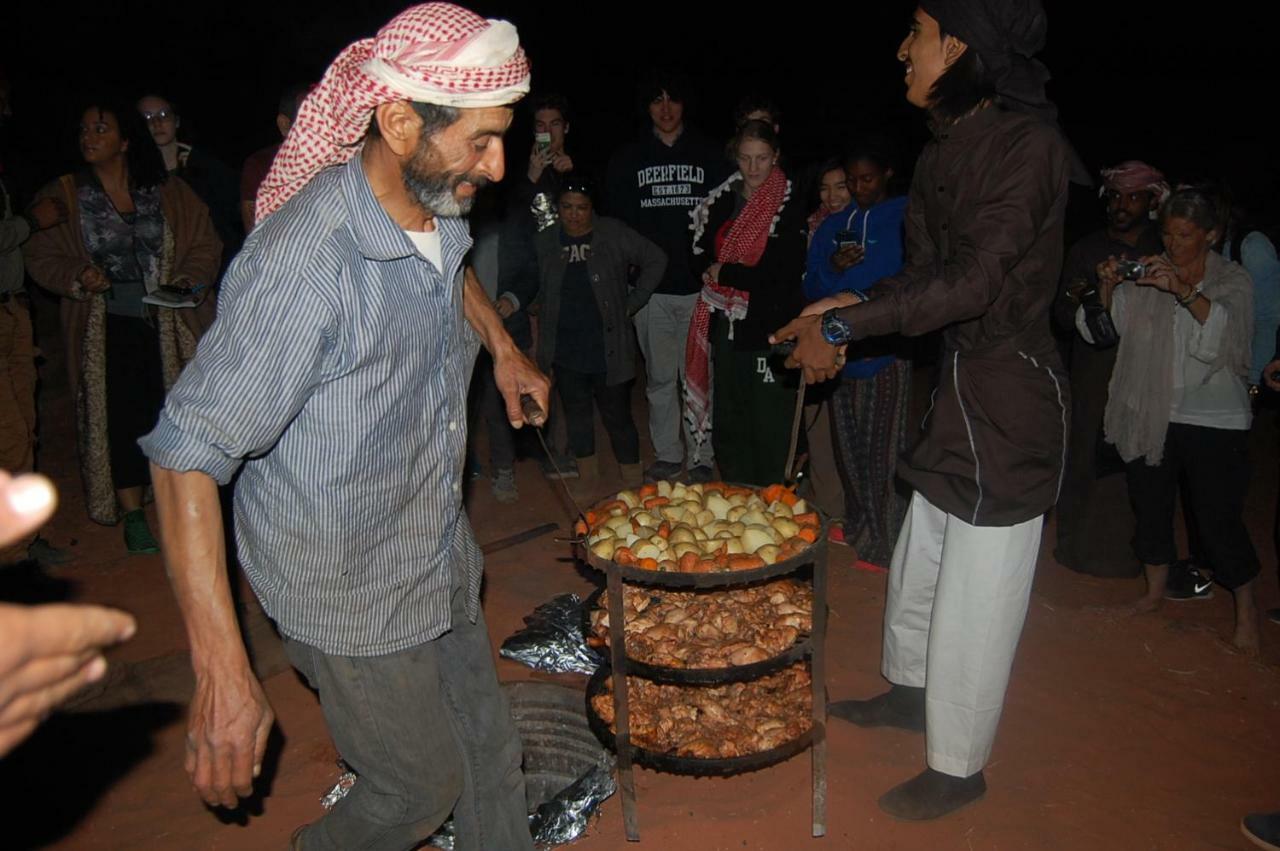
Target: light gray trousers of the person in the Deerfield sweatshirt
(662, 328)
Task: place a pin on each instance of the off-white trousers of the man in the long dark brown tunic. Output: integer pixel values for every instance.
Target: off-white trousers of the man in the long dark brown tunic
(957, 603)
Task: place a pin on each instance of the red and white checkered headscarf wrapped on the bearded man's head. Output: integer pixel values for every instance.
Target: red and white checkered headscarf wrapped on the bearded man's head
(436, 53)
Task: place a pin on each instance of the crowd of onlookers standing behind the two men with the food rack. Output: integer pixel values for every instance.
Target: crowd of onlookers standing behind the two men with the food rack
(683, 257)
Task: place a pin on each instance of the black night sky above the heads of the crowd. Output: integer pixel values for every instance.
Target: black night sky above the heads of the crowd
(1191, 93)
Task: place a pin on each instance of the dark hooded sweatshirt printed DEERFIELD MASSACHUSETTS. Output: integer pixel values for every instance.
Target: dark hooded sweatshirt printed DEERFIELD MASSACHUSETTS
(653, 187)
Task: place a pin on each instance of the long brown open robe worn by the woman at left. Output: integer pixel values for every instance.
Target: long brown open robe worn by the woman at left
(56, 259)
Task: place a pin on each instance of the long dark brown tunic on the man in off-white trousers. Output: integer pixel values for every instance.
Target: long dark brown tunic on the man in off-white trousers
(985, 248)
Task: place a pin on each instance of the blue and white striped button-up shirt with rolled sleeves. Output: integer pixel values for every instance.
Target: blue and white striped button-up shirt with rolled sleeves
(337, 377)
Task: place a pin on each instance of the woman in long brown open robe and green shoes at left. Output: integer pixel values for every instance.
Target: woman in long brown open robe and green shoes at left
(132, 231)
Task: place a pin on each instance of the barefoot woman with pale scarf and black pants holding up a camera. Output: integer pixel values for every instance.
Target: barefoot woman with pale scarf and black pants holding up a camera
(1180, 400)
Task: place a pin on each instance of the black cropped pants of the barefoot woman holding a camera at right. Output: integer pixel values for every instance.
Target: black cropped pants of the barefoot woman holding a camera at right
(1218, 477)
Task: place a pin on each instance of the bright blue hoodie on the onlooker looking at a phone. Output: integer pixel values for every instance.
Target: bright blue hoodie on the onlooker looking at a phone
(880, 230)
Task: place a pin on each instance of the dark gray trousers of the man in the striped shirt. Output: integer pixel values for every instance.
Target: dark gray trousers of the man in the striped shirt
(431, 734)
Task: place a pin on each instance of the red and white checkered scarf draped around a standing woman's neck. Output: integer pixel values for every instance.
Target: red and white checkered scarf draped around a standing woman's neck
(744, 244)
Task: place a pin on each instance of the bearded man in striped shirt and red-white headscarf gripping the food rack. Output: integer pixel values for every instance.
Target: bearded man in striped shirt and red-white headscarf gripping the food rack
(337, 376)
